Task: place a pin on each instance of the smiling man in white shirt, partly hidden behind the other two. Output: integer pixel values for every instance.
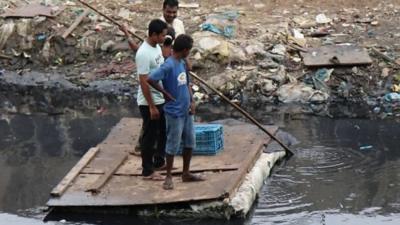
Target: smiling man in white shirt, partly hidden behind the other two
(170, 12)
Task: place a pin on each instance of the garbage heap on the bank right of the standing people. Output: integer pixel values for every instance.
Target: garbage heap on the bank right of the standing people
(313, 60)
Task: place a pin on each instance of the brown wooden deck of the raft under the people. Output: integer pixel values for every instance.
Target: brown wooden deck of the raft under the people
(111, 176)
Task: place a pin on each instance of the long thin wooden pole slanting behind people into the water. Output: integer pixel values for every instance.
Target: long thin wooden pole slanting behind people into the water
(289, 153)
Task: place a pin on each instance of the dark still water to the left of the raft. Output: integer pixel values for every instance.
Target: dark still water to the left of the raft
(37, 151)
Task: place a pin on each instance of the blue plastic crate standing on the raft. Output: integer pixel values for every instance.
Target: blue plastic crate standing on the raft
(209, 139)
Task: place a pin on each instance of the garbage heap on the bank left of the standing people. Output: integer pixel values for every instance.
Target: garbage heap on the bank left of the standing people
(53, 33)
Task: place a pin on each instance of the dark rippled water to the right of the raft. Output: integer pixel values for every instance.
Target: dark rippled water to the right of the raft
(344, 172)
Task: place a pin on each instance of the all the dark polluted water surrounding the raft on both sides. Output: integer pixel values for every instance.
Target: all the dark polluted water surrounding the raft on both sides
(345, 171)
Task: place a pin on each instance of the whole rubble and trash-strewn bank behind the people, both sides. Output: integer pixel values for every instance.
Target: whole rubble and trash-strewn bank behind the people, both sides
(252, 57)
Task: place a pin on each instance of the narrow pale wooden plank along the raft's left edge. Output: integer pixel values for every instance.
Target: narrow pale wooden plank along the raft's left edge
(66, 181)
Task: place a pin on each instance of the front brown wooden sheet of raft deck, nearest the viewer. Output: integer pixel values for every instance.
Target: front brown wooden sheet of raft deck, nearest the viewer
(130, 191)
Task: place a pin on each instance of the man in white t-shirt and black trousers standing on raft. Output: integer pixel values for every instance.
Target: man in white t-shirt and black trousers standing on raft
(148, 58)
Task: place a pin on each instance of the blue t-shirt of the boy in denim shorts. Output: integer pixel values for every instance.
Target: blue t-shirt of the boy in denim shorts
(175, 81)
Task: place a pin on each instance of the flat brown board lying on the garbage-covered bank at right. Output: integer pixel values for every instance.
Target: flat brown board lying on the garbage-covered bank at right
(336, 55)
